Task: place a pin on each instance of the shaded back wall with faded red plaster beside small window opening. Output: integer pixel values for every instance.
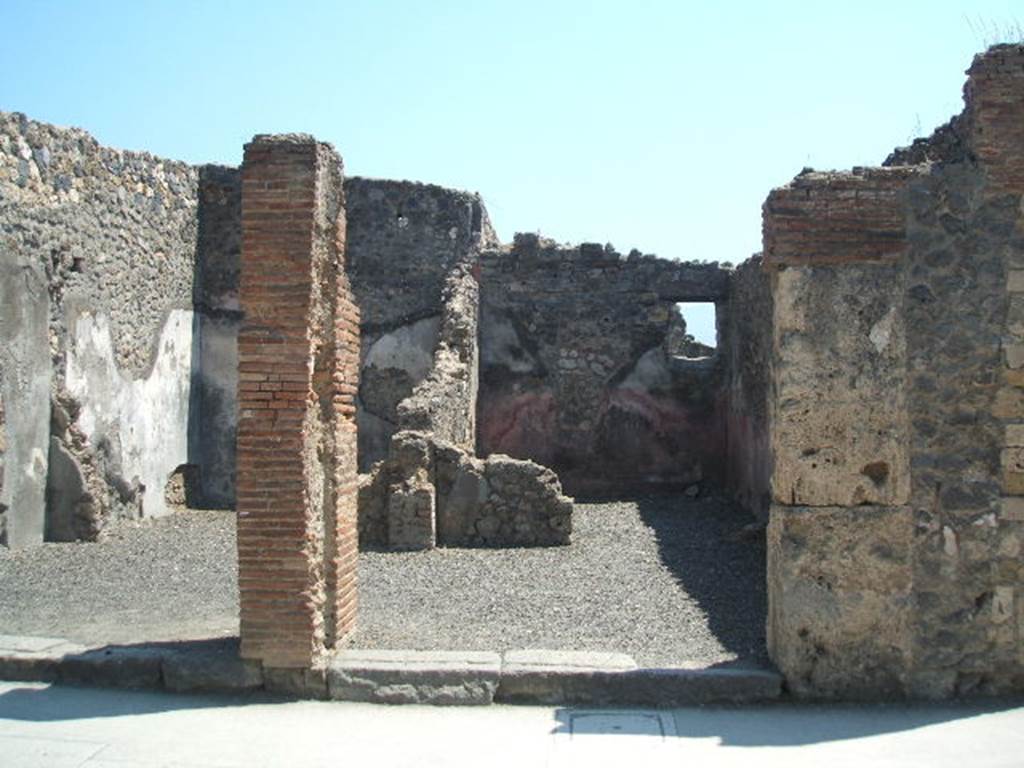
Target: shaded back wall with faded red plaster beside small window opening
(574, 371)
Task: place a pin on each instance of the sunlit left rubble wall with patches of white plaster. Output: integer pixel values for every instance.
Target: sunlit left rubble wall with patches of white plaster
(98, 249)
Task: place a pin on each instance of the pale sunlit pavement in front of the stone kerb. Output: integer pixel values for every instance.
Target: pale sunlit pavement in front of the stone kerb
(60, 728)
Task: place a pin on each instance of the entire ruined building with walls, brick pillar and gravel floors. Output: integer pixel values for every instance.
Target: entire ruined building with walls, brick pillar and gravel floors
(398, 407)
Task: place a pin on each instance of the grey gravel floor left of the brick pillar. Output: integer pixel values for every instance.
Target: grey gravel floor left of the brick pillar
(169, 579)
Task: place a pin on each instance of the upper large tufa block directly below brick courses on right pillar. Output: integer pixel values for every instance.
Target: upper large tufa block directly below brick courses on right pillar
(840, 433)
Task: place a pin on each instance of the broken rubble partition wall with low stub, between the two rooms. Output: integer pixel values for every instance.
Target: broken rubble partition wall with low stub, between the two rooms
(432, 490)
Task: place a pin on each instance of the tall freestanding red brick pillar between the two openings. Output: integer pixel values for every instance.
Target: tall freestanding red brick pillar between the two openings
(298, 368)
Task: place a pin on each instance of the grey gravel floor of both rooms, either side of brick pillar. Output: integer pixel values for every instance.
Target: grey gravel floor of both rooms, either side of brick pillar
(662, 578)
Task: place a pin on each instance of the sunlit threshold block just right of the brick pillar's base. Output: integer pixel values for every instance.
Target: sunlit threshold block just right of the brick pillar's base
(414, 677)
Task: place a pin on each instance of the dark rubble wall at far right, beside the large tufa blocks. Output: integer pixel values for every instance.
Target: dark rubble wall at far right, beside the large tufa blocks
(966, 227)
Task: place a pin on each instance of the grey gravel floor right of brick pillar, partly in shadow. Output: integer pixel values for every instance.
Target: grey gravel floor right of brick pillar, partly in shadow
(662, 579)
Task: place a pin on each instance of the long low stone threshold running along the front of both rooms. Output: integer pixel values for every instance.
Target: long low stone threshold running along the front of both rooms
(448, 678)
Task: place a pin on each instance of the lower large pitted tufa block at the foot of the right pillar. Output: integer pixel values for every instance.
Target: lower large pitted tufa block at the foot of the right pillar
(840, 602)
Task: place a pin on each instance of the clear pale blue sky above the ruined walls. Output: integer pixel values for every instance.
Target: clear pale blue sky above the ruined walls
(650, 124)
